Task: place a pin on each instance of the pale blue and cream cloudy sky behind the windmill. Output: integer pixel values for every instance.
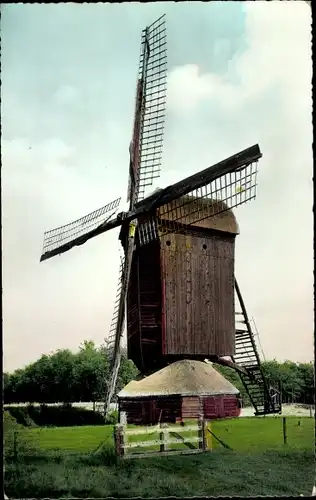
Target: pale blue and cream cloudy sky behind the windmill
(239, 73)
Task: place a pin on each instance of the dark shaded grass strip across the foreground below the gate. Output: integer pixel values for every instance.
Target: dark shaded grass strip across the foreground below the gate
(61, 474)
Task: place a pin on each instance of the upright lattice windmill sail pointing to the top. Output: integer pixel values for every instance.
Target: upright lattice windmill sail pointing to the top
(147, 142)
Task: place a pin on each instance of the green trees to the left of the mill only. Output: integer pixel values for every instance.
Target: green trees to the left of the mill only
(66, 377)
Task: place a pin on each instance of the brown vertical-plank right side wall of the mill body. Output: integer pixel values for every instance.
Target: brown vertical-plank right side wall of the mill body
(198, 280)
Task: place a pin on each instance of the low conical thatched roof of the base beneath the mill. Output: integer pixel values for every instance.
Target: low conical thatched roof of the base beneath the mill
(185, 378)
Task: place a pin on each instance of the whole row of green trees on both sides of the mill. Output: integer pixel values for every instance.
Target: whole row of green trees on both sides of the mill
(66, 377)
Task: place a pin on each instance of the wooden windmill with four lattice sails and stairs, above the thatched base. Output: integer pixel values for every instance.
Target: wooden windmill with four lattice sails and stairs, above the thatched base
(154, 230)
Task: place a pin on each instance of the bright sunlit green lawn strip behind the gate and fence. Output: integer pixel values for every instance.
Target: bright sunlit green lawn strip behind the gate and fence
(243, 434)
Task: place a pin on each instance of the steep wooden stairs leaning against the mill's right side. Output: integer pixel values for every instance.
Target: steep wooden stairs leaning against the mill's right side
(264, 399)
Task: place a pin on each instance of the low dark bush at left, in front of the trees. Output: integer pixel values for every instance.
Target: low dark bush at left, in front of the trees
(54, 416)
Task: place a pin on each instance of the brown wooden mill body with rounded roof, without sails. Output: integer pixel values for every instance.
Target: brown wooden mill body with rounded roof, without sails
(180, 301)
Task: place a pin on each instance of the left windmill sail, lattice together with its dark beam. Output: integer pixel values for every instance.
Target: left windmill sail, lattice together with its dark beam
(64, 238)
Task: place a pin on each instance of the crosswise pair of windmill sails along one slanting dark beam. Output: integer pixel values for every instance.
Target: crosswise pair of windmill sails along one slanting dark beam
(242, 181)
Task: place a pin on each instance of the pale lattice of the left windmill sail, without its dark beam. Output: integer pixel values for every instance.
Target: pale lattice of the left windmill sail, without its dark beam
(65, 234)
